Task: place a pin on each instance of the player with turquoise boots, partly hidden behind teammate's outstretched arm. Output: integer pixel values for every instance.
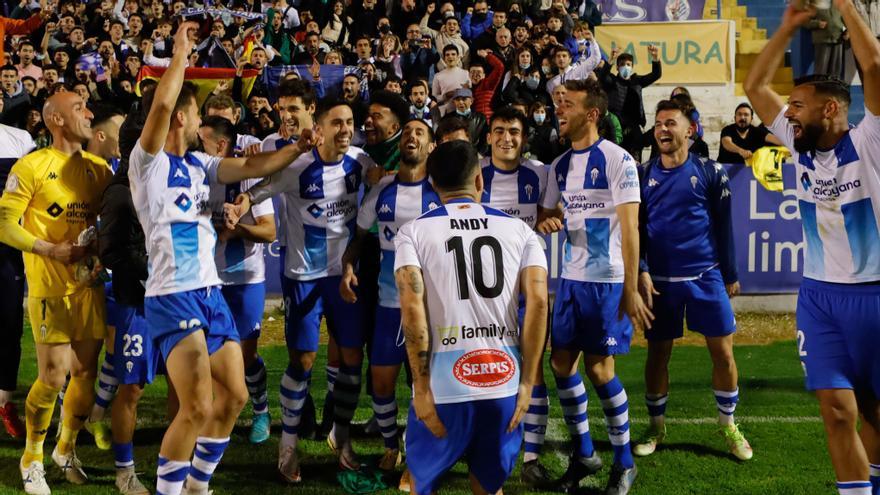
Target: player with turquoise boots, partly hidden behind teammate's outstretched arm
(240, 264)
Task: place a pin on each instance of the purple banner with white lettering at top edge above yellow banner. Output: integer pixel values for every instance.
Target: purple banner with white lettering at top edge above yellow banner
(650, 10)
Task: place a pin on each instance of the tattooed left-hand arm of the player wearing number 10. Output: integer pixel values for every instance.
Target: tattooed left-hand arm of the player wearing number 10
(414, 319)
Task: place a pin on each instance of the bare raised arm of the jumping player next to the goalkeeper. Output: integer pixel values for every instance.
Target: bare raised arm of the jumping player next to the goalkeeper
(159, 119)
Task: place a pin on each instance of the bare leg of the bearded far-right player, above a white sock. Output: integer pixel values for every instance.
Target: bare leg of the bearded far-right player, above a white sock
(840, 414)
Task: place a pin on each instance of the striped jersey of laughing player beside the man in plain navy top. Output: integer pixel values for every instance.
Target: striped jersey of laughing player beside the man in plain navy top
(591, 183)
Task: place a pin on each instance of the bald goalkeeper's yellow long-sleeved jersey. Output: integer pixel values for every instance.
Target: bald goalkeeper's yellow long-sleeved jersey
(55, 196)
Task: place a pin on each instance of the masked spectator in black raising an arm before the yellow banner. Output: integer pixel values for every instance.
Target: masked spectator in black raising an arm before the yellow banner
(624, 91)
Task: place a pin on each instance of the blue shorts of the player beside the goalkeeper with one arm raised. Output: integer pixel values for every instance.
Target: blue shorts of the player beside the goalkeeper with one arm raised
(172, 317)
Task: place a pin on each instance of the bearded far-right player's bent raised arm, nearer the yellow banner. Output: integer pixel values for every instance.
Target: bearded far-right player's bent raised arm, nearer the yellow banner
(766, 102)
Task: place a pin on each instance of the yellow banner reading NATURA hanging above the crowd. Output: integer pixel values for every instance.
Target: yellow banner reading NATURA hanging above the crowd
(690, 52)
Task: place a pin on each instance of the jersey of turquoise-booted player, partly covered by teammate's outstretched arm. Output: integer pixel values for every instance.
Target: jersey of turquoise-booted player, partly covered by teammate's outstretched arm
(239, 261)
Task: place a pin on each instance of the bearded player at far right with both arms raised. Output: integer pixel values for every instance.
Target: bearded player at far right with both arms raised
(838, 303)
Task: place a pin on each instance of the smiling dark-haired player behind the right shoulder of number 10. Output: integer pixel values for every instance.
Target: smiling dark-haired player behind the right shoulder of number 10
(516, 185)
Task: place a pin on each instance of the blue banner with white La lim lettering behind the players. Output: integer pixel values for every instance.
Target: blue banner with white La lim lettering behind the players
(766, 226)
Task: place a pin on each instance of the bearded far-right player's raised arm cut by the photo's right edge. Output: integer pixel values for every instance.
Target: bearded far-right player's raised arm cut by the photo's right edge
(866, 49)
